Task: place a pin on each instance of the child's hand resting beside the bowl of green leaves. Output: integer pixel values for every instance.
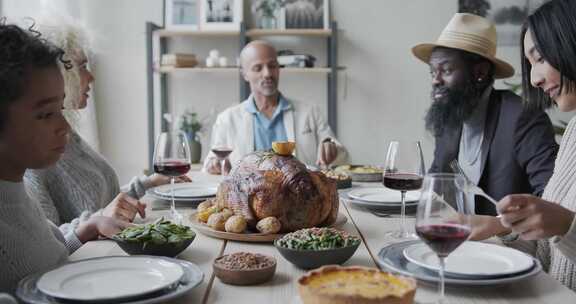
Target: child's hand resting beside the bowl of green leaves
(98, 226)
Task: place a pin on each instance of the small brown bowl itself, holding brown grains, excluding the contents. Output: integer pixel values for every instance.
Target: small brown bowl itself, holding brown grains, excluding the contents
(244, 277)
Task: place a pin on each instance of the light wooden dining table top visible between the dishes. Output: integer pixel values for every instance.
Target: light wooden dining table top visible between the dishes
(283, 287)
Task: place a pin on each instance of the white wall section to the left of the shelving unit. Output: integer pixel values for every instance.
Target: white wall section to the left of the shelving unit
(119, 67)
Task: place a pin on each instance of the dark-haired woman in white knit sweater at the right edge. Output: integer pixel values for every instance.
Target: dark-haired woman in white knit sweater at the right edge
(547, 226)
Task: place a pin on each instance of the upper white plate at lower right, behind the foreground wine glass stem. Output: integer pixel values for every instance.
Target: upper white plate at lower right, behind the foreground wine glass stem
(475, 259)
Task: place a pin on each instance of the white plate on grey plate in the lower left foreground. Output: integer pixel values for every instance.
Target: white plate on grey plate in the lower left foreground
(120, 279)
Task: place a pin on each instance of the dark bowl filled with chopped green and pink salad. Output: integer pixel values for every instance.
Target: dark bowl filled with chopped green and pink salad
(314, 247)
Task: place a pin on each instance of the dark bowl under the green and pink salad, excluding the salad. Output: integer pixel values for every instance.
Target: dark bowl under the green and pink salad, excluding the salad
(309, 259)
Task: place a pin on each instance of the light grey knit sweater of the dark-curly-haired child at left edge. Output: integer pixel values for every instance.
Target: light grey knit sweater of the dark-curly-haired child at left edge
(28, 242)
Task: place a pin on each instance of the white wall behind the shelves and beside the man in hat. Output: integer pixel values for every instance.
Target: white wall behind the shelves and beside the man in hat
(383, 93)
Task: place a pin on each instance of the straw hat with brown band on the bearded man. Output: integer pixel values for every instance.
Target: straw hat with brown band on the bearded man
(470, 33)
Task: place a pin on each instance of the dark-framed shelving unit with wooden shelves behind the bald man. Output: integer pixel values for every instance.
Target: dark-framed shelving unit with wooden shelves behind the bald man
(155, 33)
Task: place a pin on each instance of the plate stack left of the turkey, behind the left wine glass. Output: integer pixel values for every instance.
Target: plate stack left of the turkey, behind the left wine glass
(185, 192)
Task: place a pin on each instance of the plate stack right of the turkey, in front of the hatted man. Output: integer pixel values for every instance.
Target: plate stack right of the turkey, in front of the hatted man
(381, 198)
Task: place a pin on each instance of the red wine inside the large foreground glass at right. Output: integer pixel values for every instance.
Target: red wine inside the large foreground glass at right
(443, 238)
